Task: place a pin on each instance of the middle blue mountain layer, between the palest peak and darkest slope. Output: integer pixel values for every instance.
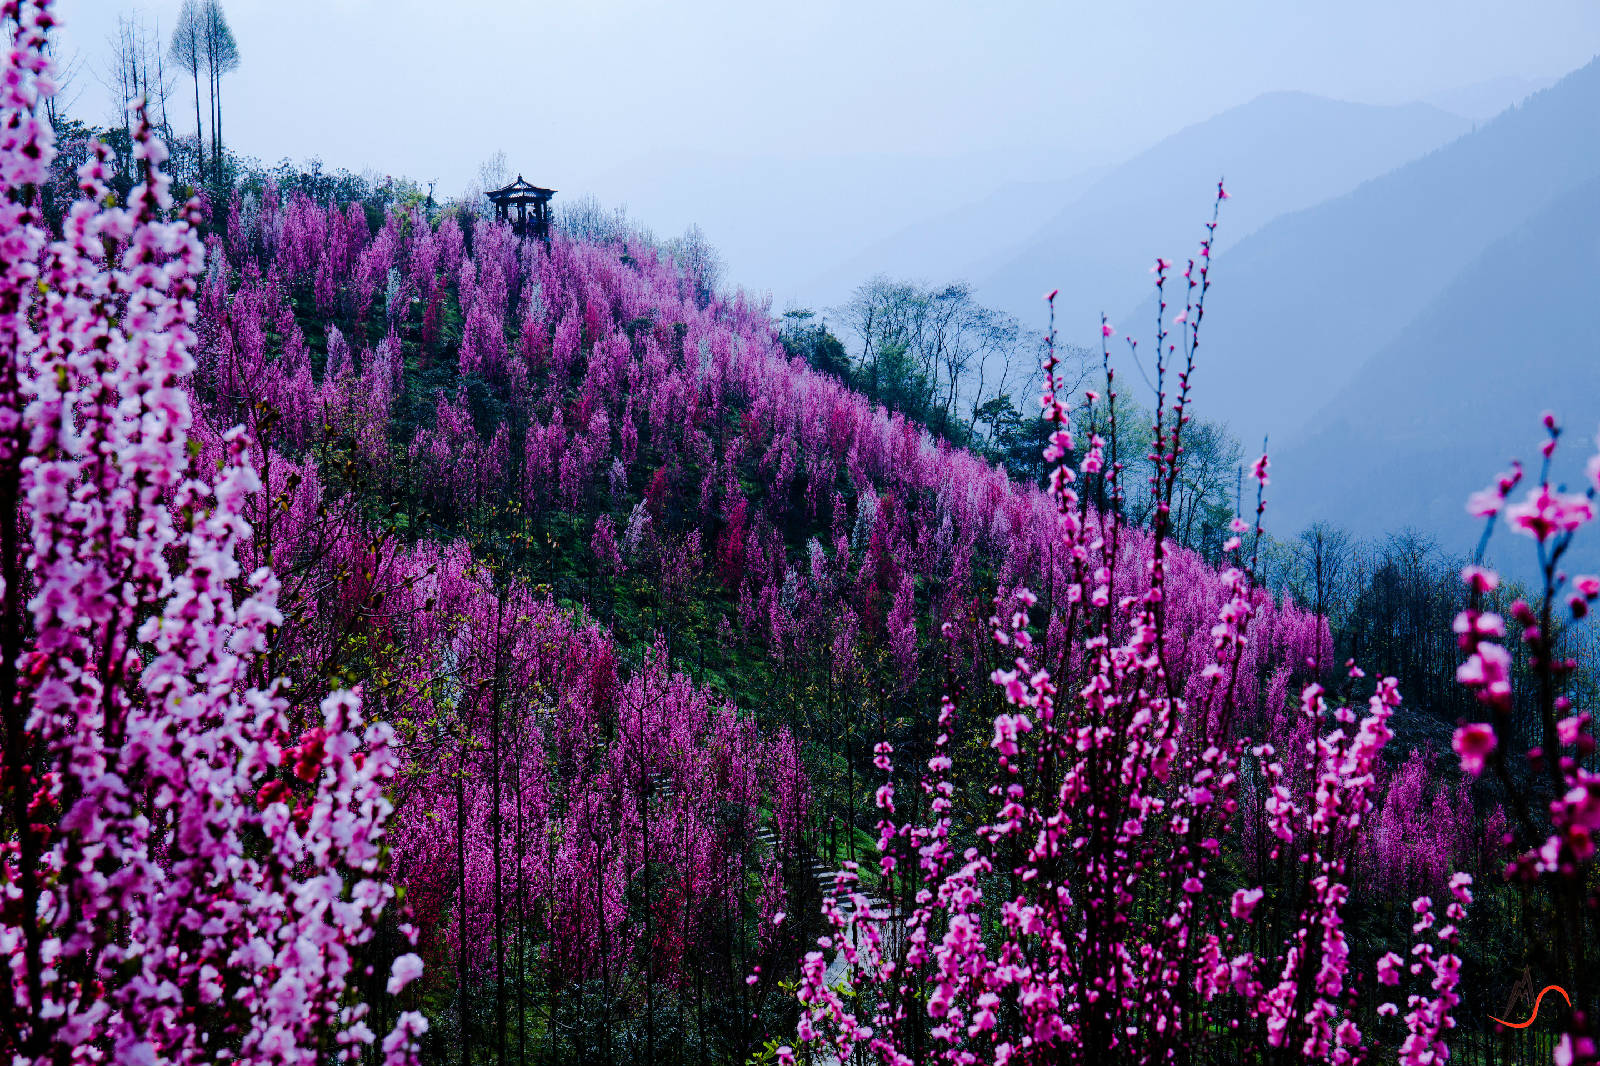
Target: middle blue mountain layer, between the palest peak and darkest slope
(1302, 307)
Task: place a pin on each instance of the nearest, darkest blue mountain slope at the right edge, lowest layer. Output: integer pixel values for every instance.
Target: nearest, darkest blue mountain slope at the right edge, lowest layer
(1442, 407)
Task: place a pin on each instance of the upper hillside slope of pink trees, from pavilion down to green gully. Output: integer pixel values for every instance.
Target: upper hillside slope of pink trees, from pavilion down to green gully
(585, 414)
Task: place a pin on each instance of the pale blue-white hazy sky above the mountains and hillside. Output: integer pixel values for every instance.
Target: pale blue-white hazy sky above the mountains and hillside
(823, 122)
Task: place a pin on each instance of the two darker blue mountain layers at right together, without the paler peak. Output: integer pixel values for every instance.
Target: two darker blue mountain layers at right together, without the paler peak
(1326, 315)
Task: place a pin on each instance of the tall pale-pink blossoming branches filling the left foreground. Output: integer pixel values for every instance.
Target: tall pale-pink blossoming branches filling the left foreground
(172, 892)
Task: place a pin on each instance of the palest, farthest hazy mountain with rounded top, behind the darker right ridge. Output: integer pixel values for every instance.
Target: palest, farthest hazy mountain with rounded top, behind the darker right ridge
(1279, 153)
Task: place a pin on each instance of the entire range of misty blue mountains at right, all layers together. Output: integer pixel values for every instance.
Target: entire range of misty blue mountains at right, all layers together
(1358, 239)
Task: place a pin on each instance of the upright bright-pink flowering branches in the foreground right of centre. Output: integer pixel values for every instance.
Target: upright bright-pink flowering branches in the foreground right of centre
(1090, 924)
